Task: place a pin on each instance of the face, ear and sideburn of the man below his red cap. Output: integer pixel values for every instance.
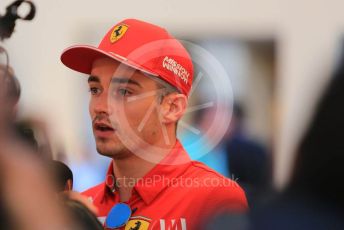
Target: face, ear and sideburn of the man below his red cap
(126, 104)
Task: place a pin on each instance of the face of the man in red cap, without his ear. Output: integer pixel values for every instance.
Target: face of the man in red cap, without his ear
(123, 106)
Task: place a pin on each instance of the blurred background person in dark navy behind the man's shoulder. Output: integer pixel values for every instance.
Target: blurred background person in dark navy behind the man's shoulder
(247, 159)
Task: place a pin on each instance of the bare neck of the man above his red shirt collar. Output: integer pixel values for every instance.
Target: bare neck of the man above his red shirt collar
(130, 169)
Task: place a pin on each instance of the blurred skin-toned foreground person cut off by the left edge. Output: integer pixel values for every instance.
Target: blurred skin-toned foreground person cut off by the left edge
(23, 184)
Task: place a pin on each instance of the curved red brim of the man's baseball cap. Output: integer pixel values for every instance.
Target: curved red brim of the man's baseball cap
(81, 57)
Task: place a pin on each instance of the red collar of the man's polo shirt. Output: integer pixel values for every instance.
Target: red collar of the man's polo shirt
(159, 177)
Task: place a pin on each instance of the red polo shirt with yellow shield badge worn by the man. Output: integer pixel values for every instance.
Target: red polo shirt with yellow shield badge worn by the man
(172, 196)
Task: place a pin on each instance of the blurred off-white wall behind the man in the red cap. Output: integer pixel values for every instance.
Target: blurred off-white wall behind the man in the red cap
(308, 33)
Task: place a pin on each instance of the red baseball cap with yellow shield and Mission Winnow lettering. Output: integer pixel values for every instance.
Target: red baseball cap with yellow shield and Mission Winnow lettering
(141, 45)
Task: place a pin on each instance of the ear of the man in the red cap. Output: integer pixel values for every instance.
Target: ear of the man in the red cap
(173, 107)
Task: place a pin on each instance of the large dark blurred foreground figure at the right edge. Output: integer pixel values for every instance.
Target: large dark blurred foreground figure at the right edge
(313, 199)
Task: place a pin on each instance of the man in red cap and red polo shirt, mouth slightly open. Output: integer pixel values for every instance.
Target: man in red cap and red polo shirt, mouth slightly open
(140, 78)
